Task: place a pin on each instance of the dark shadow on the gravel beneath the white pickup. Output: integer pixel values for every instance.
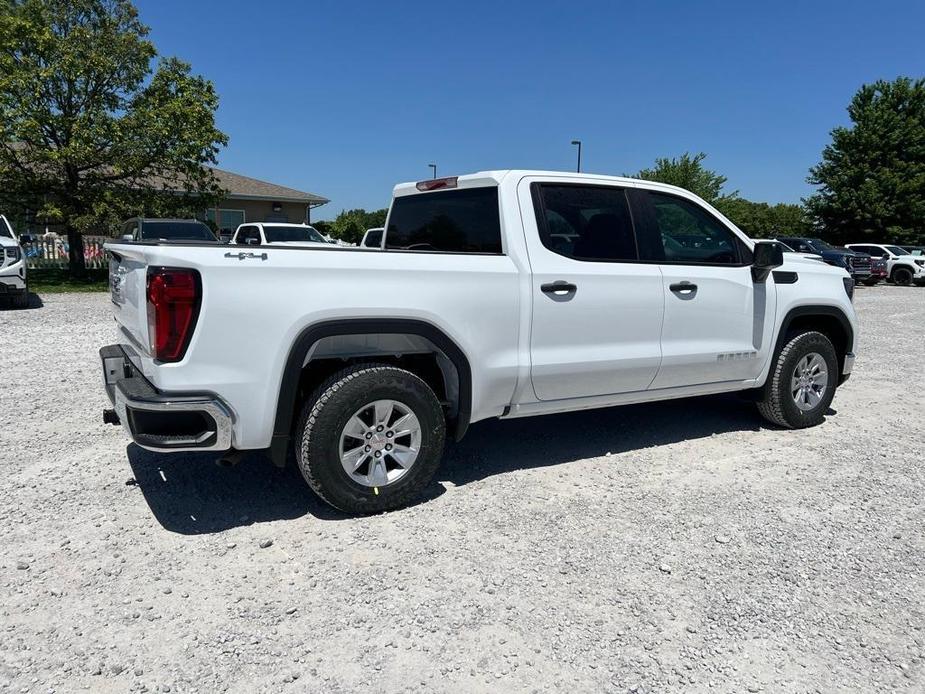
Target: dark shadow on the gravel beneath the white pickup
(189, 494)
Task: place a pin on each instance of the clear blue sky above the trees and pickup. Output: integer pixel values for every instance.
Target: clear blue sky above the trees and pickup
(345, 99)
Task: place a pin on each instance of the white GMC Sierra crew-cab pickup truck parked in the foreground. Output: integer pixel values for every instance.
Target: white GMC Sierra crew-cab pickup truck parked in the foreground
(497, 294)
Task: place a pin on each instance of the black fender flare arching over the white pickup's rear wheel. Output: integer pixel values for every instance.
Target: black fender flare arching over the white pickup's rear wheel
(289, 384)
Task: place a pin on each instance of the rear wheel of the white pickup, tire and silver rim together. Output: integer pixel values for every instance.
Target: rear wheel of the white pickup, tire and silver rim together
(370, 438)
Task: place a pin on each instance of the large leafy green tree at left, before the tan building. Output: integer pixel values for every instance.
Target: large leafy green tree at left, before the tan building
(90, 131)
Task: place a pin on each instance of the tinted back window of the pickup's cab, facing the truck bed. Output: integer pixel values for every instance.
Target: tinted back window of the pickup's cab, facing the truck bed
(454, 221)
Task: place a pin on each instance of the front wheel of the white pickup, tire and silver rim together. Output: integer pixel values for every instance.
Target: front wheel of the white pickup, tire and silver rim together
(802, 382)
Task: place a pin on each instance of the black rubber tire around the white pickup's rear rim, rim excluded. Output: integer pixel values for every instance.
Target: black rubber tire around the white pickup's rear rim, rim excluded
(326, 413)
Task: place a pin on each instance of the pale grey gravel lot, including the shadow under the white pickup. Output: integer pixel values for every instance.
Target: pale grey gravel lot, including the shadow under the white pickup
(665, 547)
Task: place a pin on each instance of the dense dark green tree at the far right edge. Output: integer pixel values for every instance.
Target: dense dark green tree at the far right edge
(872, 175)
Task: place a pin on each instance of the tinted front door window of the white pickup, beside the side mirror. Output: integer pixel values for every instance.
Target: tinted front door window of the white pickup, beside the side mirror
(690, 234)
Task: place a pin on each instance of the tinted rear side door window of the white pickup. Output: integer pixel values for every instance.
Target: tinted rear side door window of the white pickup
(585, 222)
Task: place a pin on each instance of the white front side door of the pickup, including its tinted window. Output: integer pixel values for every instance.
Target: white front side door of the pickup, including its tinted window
(718, 321)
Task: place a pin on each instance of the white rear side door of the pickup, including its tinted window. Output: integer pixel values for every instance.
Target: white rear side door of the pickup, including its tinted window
(597, 311)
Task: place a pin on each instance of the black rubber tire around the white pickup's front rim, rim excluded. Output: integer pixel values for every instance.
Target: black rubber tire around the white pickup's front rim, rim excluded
(777, 404)
